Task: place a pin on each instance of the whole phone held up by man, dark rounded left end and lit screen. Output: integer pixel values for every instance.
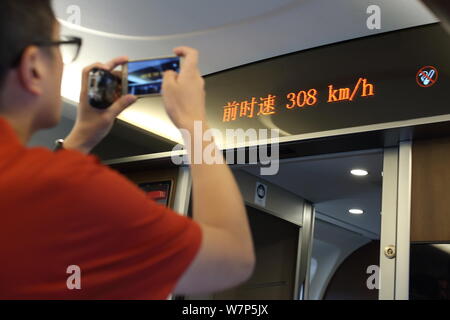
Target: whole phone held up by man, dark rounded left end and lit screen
(141, 78)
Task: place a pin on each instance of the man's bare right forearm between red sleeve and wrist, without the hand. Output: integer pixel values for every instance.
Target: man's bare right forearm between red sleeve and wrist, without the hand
(226, 256)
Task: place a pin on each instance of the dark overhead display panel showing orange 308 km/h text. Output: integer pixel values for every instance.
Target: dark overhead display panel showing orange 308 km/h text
(367, 81)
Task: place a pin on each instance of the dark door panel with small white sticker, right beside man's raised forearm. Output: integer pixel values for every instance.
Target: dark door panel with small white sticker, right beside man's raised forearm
(280, 222)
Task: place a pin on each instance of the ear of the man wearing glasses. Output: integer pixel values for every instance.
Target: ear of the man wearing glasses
(30, 70)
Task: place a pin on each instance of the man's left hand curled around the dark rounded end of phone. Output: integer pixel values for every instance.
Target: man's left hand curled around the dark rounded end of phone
(92, 125)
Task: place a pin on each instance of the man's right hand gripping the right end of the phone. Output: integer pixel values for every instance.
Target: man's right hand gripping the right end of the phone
(184, 93)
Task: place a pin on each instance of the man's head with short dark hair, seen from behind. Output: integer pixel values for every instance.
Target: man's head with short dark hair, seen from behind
(30, 73)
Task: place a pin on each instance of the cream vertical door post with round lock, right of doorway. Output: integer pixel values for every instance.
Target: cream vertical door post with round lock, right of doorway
(396, 222)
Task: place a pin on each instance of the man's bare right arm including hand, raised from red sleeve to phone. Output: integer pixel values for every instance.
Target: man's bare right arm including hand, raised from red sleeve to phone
(226, 257)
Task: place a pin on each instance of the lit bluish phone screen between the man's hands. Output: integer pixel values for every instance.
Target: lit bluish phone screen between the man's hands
(145, 76)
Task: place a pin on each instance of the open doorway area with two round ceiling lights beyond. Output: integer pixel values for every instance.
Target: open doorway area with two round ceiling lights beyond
(342, 251)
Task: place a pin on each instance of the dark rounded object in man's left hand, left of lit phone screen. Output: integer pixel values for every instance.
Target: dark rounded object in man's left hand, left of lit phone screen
(104, 88)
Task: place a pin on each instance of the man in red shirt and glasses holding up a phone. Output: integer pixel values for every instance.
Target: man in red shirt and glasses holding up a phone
(62, 209)
